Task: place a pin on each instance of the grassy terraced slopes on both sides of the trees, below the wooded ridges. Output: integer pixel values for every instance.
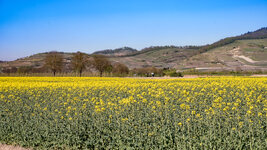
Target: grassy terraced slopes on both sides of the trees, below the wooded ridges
(180, 58)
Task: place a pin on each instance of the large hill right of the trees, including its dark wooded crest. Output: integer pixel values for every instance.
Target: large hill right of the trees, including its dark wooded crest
(183, 57)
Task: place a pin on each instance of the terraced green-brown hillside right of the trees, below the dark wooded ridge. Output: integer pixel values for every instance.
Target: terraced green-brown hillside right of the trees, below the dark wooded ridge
(241, 54)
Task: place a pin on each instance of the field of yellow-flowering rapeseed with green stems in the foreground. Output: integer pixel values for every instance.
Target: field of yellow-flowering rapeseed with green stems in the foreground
(121, 113)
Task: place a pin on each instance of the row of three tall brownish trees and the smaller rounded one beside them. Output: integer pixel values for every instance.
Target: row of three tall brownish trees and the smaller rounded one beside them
(81, 61)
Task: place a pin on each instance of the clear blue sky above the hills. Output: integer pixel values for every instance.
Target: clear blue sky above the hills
(33, 26)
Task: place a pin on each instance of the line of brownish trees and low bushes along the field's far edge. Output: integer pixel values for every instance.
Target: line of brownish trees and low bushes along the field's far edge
(55, 63)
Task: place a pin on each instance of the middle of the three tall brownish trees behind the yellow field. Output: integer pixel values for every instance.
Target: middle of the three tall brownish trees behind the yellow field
(79, 62)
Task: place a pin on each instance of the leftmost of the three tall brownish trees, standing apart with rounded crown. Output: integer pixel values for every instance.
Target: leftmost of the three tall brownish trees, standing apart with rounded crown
(54, 62)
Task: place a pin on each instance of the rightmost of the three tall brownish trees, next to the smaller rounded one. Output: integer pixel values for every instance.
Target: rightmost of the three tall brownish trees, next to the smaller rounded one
(101, 63)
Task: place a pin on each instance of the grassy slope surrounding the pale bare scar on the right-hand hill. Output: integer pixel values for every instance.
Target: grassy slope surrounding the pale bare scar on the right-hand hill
(223, 56)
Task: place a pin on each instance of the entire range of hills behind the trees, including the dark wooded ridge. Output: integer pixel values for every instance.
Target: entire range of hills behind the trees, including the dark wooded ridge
(244, 52)
